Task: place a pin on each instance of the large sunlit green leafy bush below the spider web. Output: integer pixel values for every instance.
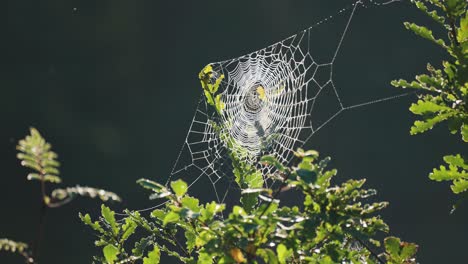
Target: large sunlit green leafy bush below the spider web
(333, 223)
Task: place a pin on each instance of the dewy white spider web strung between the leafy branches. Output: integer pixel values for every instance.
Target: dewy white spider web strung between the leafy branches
(275, 99)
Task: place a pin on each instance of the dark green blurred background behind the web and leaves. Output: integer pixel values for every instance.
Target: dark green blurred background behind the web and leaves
(113, 85)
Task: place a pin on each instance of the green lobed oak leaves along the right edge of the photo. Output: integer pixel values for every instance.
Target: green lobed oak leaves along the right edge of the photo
(445, 90)
